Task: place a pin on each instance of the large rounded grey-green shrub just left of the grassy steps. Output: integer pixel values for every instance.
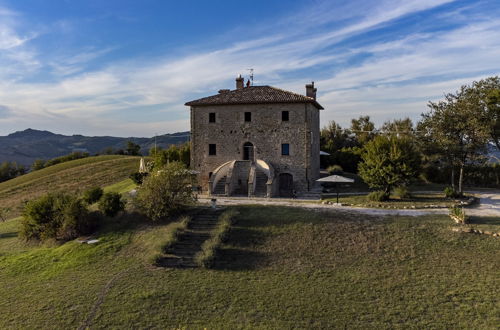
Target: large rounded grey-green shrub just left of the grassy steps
(166, 191)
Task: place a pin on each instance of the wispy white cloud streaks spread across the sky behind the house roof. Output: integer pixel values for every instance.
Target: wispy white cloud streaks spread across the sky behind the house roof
(392, 77)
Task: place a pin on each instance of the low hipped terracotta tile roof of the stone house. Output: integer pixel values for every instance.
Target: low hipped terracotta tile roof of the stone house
(254, 95)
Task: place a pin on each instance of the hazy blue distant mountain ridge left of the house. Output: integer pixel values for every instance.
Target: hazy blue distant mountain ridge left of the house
(25, 146)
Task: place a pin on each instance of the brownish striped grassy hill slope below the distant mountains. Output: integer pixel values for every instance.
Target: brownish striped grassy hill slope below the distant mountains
(73, 176)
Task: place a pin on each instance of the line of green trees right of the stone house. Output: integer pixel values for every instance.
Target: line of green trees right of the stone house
(451, 137)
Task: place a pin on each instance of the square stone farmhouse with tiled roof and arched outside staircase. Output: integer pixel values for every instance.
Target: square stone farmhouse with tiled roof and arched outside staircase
(256, 141)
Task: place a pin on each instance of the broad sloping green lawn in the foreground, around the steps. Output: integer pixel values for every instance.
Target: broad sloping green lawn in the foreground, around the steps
(281, 268)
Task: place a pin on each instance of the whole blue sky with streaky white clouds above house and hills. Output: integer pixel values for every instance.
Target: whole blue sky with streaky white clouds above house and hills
(126, 68)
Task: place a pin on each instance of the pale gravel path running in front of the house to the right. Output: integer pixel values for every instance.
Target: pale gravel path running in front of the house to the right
(489, 205)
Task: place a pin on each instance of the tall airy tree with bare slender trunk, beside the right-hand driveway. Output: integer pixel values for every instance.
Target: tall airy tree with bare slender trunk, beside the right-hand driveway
(456, 130)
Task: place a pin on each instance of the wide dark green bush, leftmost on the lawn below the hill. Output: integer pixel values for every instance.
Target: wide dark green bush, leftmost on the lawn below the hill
(57, 216)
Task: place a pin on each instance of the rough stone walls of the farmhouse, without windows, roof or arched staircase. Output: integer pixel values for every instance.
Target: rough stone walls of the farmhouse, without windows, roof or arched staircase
(266, 132)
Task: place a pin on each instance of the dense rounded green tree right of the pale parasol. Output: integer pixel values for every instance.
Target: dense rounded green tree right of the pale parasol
(389, 162)
